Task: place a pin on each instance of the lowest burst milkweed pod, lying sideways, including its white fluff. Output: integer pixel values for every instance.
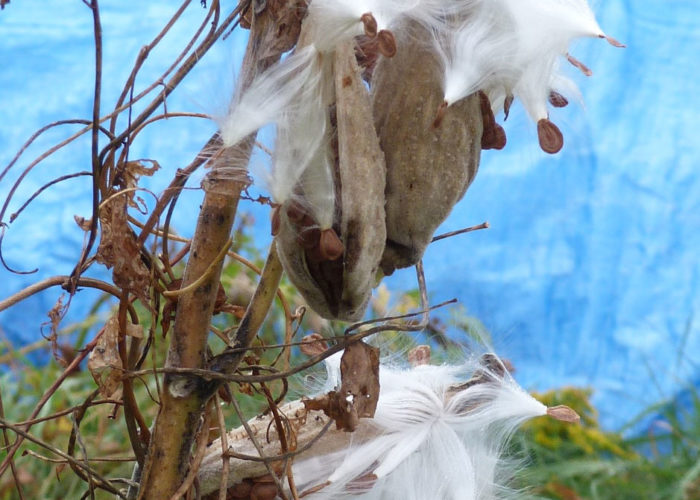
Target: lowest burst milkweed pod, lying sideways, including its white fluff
(437, 432)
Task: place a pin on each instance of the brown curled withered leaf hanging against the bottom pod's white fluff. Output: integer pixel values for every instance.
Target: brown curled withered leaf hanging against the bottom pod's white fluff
(359, 389)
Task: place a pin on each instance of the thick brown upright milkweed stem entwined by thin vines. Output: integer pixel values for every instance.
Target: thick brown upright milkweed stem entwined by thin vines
(183, 399)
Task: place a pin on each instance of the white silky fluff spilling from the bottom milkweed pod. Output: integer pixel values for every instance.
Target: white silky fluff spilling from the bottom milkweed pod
(433, 436)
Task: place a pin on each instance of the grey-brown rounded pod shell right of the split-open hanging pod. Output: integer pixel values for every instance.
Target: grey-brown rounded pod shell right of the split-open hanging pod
(428, 167)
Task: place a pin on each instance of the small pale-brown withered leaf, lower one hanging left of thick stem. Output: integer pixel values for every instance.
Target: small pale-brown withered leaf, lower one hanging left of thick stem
(104, 362)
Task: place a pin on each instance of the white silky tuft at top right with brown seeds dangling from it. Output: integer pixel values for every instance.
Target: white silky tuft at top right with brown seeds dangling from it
(514, 47)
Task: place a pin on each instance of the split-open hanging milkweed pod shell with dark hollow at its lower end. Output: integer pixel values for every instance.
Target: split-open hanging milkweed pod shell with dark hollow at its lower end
(340, 288)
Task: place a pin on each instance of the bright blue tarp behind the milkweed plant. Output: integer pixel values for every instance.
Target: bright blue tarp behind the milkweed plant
(590, 273)
